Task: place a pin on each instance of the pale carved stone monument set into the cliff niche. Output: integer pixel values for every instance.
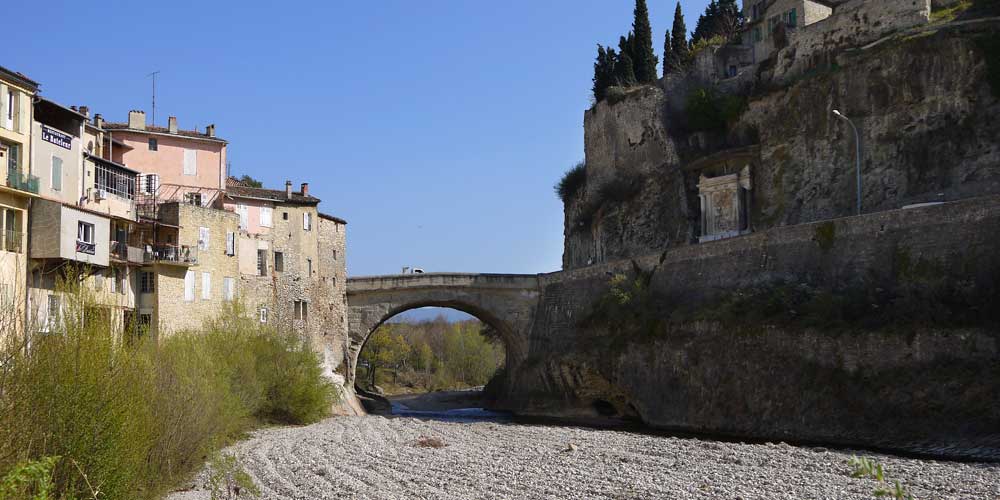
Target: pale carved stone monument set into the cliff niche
(725, 205)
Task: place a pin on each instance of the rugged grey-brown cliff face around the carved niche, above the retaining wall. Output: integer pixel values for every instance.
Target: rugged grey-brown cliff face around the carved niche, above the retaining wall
(923, 104)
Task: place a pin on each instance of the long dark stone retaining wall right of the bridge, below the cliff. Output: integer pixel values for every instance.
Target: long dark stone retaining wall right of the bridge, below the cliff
(920, 388)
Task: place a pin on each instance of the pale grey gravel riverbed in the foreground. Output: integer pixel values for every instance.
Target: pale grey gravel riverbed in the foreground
(377, 457)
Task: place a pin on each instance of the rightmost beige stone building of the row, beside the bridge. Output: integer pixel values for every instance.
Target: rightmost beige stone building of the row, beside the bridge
(291, 262)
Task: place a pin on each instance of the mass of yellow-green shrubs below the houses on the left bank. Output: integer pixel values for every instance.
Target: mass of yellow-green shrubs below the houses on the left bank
(131, 419)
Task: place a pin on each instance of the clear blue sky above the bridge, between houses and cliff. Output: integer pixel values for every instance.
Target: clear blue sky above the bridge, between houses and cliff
(436, 128)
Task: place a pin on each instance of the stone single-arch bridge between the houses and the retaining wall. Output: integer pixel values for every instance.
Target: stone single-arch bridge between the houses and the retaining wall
(507, 302)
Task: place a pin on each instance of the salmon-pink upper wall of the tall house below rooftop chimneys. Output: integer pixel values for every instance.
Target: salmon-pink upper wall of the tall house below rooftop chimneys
(168, 160)
